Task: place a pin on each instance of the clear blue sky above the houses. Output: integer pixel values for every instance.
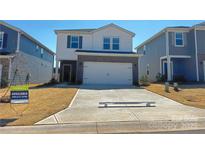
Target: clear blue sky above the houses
(43, 30)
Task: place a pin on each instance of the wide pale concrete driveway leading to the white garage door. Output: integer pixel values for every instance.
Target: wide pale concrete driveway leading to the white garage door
(122, 104)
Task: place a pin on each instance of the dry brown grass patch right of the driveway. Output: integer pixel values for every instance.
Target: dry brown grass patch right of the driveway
(191, 95)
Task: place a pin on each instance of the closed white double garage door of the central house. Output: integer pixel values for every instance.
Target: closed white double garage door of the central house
(107, 73)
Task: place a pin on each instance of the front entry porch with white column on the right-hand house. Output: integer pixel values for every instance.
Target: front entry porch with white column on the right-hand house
(177, 68)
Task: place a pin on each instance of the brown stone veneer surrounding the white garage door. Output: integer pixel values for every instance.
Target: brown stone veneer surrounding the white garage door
(83, 58)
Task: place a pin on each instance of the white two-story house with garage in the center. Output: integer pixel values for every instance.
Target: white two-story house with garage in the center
(96, 56)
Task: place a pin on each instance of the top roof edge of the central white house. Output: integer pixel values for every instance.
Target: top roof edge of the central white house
(93, 30)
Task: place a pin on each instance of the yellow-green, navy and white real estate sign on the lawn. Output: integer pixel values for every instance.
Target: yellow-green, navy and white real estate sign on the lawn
(20, 94)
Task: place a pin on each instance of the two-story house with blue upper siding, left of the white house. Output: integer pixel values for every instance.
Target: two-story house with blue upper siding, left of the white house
(19, 51)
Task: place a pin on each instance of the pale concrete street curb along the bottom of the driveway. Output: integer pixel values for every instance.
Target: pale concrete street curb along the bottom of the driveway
(111, 127)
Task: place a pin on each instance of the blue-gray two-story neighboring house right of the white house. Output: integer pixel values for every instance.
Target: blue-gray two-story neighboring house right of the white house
(175, 52)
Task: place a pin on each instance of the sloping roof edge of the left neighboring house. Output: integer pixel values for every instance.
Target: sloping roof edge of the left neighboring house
(27, 35)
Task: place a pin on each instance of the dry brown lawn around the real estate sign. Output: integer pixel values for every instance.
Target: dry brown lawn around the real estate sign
(44, 101)
